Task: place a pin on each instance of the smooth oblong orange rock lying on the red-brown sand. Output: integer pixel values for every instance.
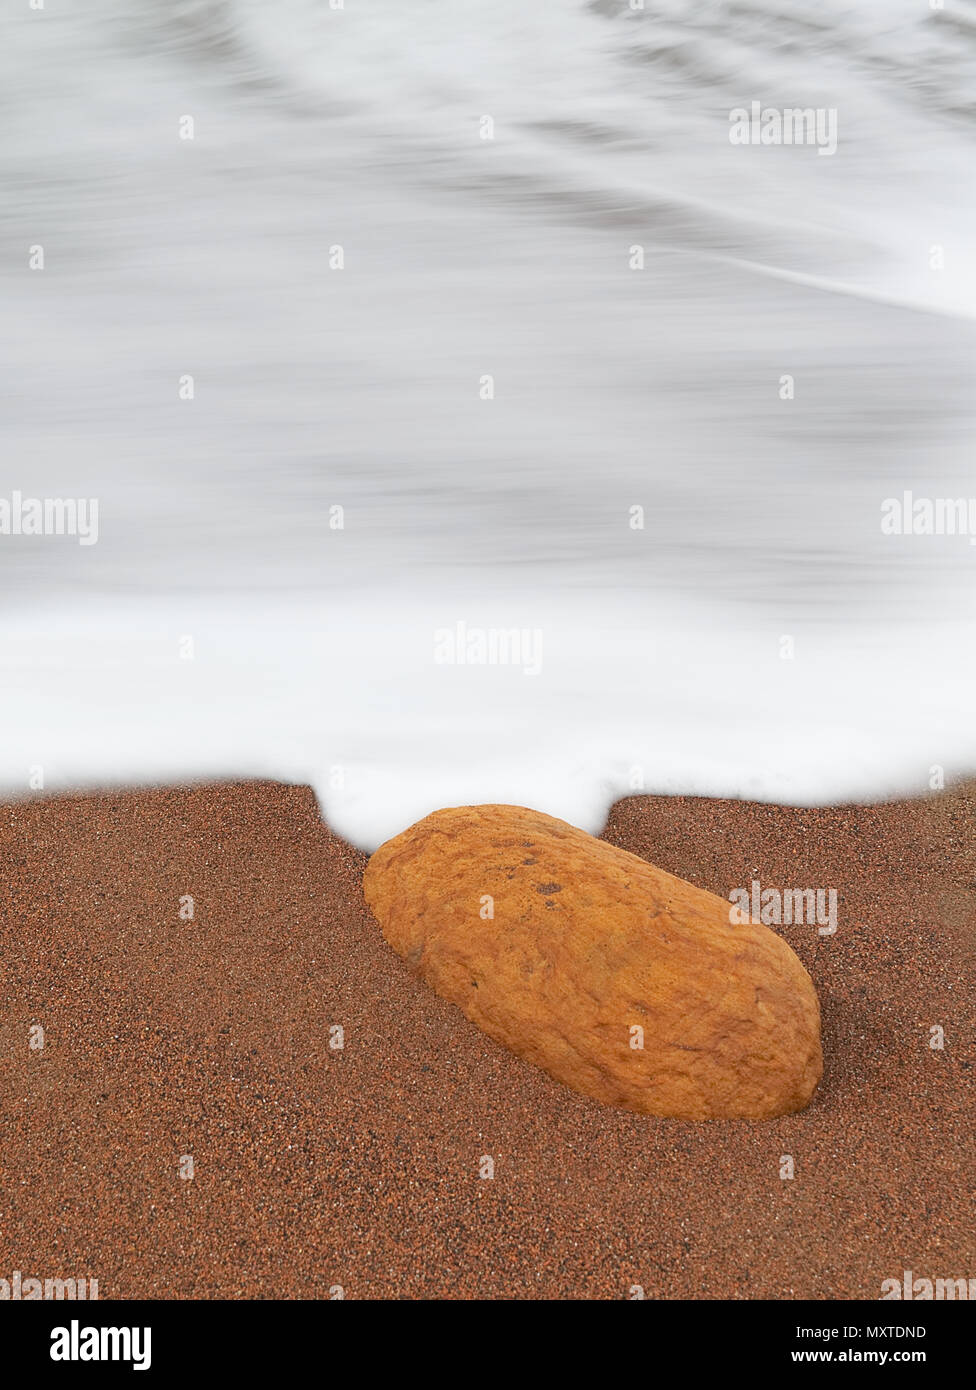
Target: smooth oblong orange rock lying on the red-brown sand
(571, 953)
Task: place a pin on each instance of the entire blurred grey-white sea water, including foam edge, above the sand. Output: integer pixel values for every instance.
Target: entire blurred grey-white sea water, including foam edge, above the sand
(654, 660)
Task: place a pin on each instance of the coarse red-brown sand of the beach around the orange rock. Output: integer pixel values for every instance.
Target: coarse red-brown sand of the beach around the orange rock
(316, 1167)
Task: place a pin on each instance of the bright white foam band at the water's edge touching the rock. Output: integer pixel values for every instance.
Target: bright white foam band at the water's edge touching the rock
(626, 700)
